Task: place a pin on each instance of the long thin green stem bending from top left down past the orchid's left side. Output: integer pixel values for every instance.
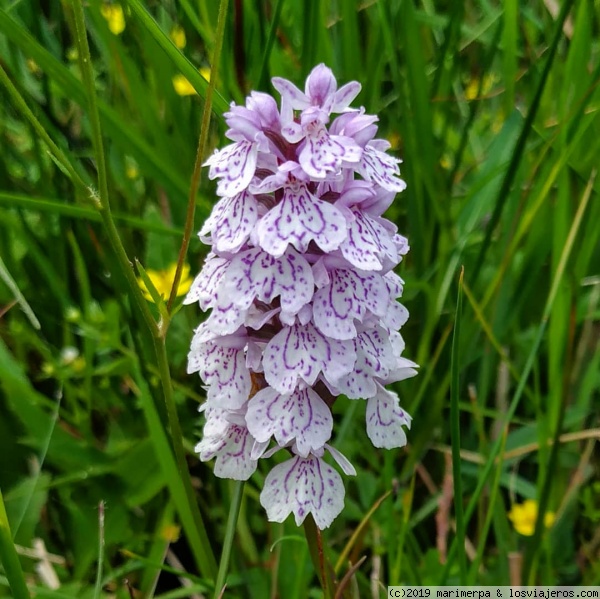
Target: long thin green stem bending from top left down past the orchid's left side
(204, 558)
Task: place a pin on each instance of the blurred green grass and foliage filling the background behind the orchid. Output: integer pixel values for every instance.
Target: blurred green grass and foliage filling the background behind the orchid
(494, 108)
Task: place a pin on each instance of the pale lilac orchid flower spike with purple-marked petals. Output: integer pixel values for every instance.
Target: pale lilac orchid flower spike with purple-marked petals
(303, 298)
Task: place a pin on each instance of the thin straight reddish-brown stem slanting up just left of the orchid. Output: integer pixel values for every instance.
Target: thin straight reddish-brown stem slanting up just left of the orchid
(200, 152)
